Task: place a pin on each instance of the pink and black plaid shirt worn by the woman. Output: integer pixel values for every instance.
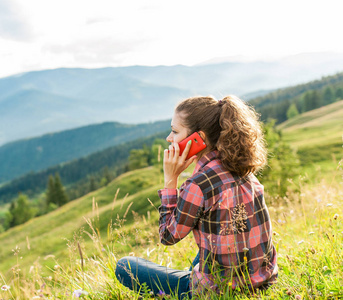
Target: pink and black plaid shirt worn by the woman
(230, 223)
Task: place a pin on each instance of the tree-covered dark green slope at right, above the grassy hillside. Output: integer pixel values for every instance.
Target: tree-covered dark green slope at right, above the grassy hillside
(284, 104)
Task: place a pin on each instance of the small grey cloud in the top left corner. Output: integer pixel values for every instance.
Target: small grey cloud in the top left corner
(12, 24)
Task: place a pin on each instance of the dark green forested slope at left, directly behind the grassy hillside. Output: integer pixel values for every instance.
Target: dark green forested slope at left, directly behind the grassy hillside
(77, 174)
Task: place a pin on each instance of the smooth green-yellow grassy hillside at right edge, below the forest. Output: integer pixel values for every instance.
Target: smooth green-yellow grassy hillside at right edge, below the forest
(317, 136)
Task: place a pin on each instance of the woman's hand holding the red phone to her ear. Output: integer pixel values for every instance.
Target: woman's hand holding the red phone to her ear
(174, 164)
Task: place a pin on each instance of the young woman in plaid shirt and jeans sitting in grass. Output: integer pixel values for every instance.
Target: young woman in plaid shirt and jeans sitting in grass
(222, 203)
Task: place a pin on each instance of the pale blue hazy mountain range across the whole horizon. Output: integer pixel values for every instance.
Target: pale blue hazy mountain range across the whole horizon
(35, 103)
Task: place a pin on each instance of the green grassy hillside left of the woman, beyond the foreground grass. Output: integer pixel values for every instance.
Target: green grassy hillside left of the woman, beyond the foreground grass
(48, 235)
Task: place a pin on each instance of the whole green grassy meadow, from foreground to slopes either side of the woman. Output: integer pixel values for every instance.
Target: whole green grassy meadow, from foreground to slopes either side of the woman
(72, 252)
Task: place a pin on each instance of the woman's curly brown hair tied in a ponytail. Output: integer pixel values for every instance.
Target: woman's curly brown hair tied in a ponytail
(232, 127)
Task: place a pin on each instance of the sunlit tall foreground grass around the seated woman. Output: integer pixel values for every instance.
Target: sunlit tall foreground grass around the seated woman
(308, 235)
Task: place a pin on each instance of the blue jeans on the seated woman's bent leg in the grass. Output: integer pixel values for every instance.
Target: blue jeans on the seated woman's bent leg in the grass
(132, 272)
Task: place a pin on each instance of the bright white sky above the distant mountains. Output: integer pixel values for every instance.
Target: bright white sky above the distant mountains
(48, 34)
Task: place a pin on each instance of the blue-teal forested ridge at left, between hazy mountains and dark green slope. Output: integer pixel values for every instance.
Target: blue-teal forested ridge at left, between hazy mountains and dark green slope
(20, 157)
